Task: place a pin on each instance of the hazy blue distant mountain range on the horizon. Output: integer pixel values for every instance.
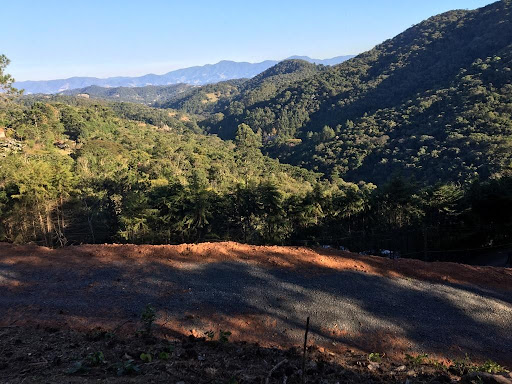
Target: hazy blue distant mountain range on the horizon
(199, 75)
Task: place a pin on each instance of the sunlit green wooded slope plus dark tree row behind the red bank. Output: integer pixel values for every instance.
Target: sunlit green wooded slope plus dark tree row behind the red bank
(80, 173)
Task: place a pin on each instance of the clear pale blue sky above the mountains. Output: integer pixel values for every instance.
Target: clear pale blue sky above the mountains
(62, 38)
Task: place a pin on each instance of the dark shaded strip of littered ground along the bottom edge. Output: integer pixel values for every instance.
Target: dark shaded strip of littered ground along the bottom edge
(45, 354)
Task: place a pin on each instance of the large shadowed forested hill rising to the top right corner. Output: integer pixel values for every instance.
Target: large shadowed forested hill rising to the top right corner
(433, 103)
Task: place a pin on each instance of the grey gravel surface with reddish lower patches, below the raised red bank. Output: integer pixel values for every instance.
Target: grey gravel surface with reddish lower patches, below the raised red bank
(348, 308)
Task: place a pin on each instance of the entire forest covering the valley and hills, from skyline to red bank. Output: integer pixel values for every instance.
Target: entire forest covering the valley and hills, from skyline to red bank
(406, 147)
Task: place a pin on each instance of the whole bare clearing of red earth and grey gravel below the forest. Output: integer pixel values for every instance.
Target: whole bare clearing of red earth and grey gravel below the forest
(264, 294)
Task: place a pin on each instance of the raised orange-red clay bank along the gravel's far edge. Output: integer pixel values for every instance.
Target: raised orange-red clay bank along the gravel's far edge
(310, 260)
